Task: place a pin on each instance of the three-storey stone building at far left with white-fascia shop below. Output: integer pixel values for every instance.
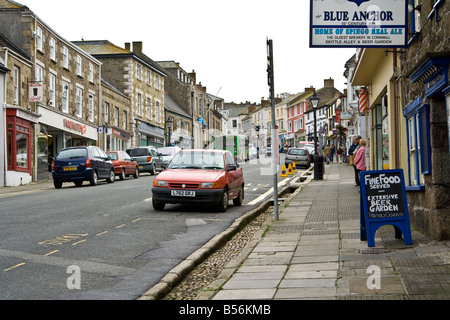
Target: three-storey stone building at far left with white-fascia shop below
(64, 86)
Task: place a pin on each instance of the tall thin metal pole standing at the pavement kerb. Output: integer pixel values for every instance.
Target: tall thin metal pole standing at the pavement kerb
(272, 103)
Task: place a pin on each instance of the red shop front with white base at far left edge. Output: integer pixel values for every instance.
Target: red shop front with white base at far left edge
(20, 128)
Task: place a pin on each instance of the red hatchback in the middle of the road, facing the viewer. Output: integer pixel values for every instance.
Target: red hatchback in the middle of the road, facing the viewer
(200, 177)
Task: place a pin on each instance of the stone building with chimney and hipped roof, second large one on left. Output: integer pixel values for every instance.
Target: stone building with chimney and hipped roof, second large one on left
(141, 79)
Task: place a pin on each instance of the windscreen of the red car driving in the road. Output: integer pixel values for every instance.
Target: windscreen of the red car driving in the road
(198, 160)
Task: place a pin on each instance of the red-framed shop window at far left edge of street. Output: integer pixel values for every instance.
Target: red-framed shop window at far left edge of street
(19, 144)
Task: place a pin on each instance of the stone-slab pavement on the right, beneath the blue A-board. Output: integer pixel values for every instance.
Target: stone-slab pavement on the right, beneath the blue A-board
(314, 251)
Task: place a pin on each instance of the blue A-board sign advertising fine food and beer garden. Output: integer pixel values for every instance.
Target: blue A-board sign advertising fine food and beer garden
(383, 202)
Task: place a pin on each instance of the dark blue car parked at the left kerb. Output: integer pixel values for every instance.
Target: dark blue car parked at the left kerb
(78, 164)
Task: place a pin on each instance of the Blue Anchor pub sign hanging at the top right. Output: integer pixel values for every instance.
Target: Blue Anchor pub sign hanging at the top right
(358, 23)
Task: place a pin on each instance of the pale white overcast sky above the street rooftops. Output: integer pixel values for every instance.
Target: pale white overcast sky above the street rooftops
(223, 40)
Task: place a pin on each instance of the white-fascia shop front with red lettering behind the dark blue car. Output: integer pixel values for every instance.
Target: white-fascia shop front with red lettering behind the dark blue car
(57, 131)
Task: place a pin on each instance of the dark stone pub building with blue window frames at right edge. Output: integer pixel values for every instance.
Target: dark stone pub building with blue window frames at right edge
(425, 98)
